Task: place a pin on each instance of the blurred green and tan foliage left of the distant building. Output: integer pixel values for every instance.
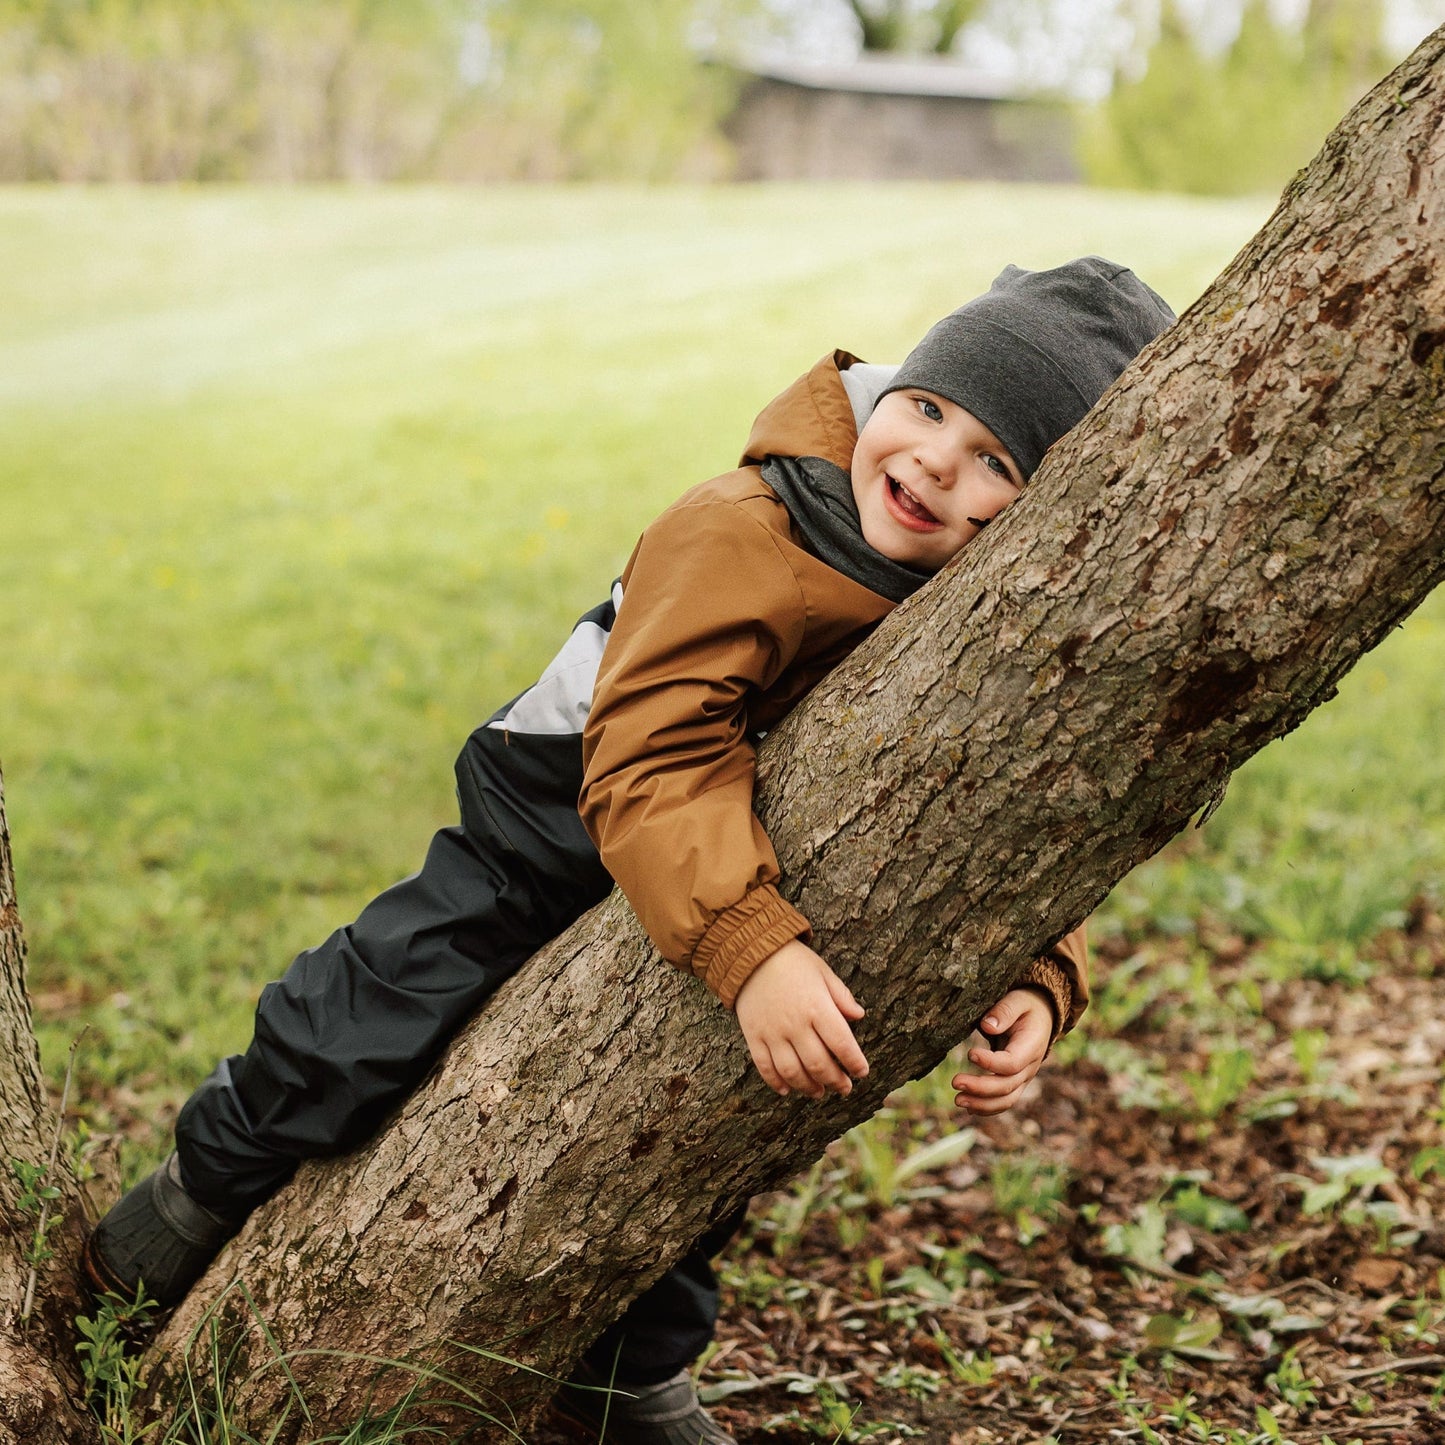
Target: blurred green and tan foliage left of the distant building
(310, 90)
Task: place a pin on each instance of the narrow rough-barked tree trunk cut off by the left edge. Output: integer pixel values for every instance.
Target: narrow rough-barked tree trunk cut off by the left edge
(38, 1379)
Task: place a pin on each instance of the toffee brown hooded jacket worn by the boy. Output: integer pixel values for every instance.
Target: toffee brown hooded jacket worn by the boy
(726, 622)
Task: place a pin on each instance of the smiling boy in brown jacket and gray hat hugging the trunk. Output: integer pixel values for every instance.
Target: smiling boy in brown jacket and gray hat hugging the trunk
(632, 761)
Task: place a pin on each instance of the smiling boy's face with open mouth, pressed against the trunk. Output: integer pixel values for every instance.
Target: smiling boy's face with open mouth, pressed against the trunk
(928, 478)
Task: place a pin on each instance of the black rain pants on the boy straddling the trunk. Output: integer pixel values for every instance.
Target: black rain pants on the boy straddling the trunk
(352, 1028)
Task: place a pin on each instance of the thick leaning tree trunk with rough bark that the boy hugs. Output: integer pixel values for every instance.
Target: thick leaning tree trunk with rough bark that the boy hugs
(1256, 505)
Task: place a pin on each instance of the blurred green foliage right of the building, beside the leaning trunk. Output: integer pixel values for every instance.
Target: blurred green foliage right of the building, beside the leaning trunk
(1242, 119)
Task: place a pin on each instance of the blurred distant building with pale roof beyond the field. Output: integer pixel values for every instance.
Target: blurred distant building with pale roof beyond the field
(885, 118)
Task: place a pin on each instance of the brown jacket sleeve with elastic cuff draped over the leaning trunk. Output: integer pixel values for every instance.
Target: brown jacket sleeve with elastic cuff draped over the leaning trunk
(710, 612)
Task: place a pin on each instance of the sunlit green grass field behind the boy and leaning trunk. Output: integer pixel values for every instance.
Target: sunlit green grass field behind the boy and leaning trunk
(300, 485)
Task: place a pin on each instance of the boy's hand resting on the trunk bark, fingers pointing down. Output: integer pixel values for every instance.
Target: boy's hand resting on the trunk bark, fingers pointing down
(795, 1012)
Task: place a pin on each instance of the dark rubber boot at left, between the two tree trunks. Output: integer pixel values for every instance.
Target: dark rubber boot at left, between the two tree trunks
(157, 1235)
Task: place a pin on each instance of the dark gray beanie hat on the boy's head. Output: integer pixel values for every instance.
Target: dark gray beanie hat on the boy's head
(1038, 350)
